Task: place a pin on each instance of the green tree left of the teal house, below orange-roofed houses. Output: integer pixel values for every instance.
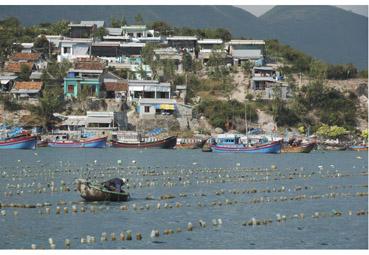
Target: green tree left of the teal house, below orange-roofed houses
(51, 101)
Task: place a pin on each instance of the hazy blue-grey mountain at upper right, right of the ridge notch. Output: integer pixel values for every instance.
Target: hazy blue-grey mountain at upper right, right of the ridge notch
(330, 33)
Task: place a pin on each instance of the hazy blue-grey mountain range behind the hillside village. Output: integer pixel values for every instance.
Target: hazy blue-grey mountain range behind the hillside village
(328, 33)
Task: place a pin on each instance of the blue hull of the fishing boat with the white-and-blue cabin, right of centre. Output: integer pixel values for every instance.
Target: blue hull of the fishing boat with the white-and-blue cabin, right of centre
(274, 147)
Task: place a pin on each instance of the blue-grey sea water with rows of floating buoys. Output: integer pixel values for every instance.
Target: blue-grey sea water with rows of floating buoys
(207, 185)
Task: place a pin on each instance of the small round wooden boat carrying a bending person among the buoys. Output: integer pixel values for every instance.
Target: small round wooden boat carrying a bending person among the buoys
(97, 192)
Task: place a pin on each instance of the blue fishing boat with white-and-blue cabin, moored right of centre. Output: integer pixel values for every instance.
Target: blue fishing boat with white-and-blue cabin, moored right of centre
(235, 143)
